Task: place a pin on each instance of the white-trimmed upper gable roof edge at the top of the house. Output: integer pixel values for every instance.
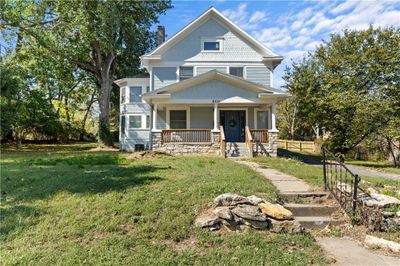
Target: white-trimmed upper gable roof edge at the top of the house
(266, 53)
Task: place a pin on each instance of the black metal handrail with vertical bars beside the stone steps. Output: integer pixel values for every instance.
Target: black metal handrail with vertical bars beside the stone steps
(341, 182)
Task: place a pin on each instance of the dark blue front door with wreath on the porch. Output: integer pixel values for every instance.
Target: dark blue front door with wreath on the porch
(233, 123)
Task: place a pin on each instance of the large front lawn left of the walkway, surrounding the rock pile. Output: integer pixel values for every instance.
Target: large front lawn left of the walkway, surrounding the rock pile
(74, 207)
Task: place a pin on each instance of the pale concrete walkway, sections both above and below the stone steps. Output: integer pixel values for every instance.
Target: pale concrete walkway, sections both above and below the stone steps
(345, 251)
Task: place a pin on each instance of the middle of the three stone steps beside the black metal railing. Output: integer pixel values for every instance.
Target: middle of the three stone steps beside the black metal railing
(310, 209)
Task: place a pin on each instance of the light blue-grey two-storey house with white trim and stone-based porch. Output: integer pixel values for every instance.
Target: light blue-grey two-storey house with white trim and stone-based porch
(209, 90)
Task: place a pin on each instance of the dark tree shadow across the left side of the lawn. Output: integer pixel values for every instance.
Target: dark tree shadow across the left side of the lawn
(44, 177)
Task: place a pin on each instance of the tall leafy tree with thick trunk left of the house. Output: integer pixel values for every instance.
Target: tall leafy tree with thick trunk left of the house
(102, 38)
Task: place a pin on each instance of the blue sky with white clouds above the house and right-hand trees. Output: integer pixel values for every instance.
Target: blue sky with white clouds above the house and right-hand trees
(290, 28)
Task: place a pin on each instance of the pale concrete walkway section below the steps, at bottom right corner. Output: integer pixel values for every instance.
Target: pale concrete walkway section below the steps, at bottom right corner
(348, 252)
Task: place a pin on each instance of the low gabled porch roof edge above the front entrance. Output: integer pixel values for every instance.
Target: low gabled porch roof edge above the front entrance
(215, 75)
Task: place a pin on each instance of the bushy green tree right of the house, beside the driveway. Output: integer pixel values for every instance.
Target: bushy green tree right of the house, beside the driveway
(348, 87)
